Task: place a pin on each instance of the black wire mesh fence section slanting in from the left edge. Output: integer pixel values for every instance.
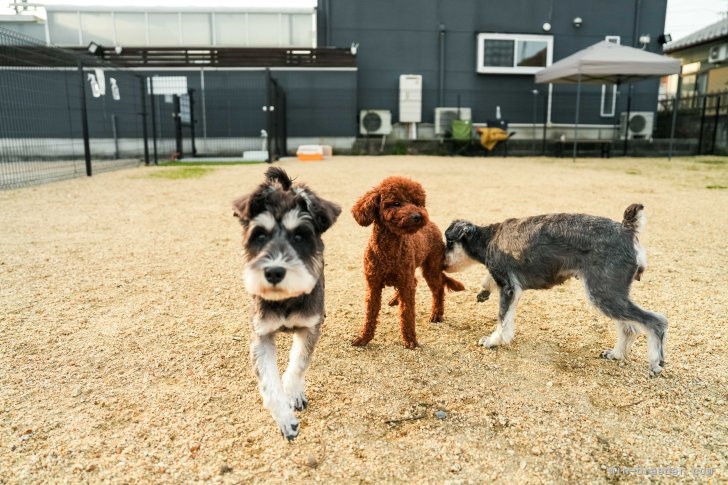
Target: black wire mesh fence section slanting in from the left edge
(64, 114)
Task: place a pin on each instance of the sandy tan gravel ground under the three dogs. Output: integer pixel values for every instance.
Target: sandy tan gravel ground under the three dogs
(124, 337)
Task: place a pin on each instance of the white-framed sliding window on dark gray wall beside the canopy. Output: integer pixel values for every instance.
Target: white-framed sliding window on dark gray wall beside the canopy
(513, 53)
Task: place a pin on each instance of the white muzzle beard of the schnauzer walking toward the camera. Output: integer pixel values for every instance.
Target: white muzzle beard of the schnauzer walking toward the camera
(299, 279)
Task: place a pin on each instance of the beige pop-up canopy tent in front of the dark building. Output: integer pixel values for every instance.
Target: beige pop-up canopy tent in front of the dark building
(608, 63)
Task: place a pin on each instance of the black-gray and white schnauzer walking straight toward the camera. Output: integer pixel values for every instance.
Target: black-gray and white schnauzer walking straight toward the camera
(284, 263)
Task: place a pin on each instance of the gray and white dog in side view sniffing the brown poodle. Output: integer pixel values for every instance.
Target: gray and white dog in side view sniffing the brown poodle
(543, 251)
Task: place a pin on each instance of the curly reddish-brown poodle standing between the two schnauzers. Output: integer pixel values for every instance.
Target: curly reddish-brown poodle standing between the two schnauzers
(403, 239)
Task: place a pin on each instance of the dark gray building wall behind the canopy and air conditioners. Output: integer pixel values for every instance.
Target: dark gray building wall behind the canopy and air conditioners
(402, 37)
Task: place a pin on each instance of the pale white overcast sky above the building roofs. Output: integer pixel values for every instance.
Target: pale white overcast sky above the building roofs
(683, 16)
